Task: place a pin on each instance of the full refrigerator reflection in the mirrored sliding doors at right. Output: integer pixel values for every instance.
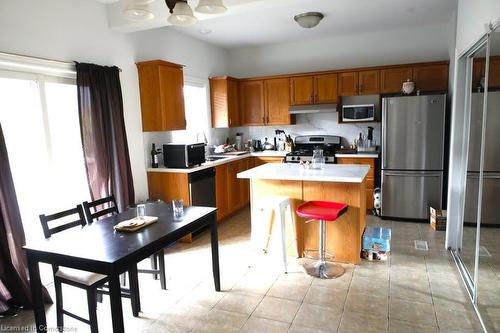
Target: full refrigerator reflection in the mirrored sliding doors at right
(491, 176)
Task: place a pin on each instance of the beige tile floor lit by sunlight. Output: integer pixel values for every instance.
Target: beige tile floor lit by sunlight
(414, 291)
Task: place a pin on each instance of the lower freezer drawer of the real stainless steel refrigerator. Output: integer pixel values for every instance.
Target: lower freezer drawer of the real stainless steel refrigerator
(408, 194)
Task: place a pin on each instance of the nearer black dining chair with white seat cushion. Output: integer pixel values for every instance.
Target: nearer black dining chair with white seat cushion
(88, 281)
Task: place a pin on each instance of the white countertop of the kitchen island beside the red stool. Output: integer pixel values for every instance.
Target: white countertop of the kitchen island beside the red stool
(341, 173)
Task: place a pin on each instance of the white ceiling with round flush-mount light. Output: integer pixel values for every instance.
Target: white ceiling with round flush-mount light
(261, 22)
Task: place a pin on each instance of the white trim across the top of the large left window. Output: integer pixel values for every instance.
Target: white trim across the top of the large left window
(19, 63)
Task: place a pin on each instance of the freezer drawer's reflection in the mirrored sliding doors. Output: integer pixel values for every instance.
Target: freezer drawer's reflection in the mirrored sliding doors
(490, 213)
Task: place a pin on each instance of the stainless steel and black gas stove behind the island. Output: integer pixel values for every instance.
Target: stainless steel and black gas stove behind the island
(305, 144)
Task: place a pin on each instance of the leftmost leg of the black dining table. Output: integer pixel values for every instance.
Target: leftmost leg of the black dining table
(37, 294)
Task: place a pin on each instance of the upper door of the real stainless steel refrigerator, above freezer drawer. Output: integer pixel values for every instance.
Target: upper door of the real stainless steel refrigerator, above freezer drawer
(413, 132)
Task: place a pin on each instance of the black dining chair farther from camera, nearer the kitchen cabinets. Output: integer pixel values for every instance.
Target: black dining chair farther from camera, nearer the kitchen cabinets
(103, 207)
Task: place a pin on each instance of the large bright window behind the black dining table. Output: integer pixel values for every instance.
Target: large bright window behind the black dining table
(39, 117)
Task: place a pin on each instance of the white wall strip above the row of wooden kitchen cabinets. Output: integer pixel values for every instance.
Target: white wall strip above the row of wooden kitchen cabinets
(370, 49)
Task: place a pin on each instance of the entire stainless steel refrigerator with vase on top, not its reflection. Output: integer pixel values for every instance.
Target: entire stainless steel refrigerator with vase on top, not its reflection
(413, 138)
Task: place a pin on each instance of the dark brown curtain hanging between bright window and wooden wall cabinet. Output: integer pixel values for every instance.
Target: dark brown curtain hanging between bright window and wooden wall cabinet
(103, 133)
